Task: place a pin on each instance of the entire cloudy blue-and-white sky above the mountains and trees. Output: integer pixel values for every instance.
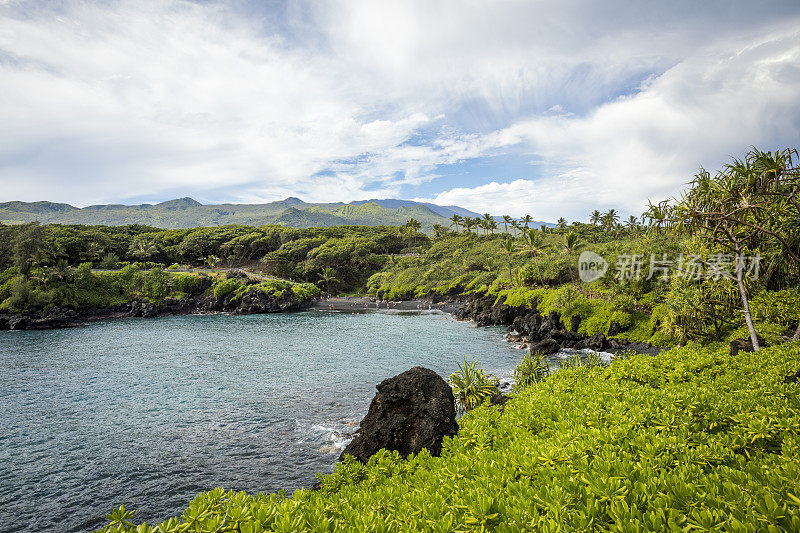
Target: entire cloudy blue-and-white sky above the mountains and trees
(548, 108)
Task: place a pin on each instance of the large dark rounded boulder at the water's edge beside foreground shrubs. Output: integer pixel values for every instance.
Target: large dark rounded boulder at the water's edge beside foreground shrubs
(411, 411)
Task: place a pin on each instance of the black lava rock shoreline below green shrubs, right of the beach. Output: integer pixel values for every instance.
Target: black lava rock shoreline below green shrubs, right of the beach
(546, 334)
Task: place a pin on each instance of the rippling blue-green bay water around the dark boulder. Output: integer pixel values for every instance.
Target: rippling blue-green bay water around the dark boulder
(148, 413)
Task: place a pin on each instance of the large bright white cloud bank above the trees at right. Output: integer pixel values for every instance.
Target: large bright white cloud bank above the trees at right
(647, 146)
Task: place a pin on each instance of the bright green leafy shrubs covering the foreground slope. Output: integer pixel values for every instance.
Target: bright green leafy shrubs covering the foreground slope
(690, 440)
